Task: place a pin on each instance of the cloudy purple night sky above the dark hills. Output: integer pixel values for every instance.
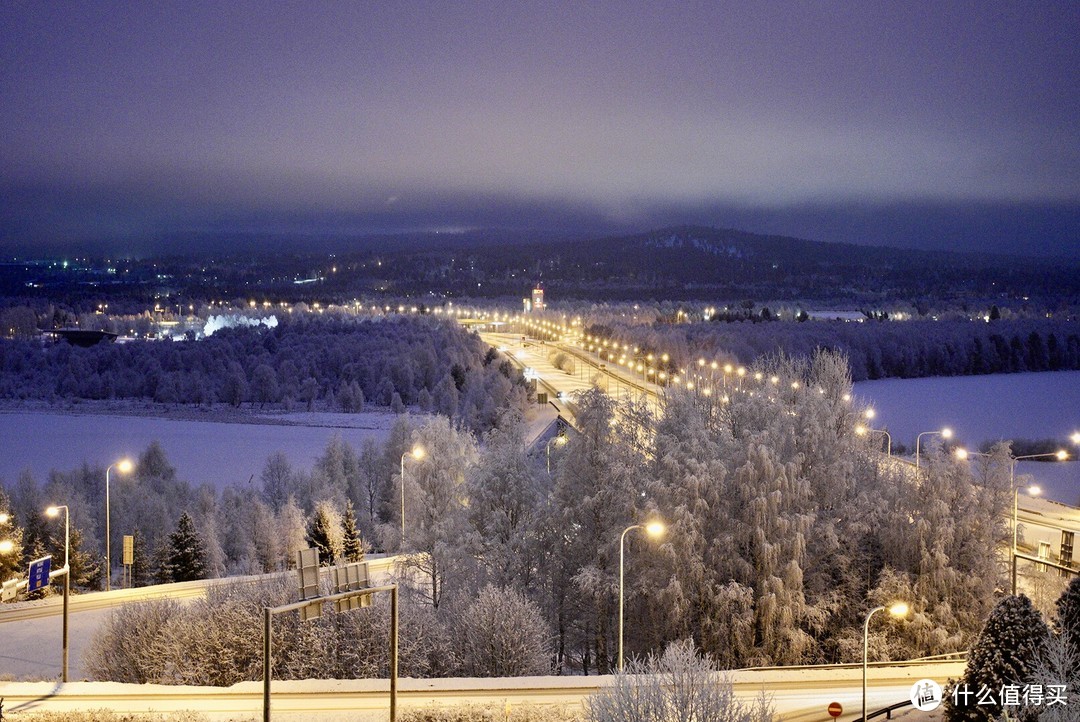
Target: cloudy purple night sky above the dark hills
(923, 125)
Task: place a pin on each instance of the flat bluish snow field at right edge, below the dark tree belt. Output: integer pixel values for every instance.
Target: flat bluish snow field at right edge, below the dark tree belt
(988, 408)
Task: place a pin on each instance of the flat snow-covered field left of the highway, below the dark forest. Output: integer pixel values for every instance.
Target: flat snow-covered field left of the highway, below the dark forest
(211, 453)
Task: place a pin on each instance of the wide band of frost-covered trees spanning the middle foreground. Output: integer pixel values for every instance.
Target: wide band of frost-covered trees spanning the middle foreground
(784, 525)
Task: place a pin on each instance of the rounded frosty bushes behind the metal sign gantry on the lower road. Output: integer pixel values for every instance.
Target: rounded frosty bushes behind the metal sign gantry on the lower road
(219, 642)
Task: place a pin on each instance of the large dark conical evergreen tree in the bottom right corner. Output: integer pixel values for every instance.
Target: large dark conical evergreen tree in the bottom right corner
(1006, 653)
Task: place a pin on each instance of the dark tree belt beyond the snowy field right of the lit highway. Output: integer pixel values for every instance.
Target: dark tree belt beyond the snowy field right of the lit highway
(876, 350)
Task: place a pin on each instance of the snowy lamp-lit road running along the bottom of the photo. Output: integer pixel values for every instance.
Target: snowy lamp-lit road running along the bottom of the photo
(799, 694)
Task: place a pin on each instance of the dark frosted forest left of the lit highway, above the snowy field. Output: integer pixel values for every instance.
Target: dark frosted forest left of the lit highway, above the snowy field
(307, 362)
